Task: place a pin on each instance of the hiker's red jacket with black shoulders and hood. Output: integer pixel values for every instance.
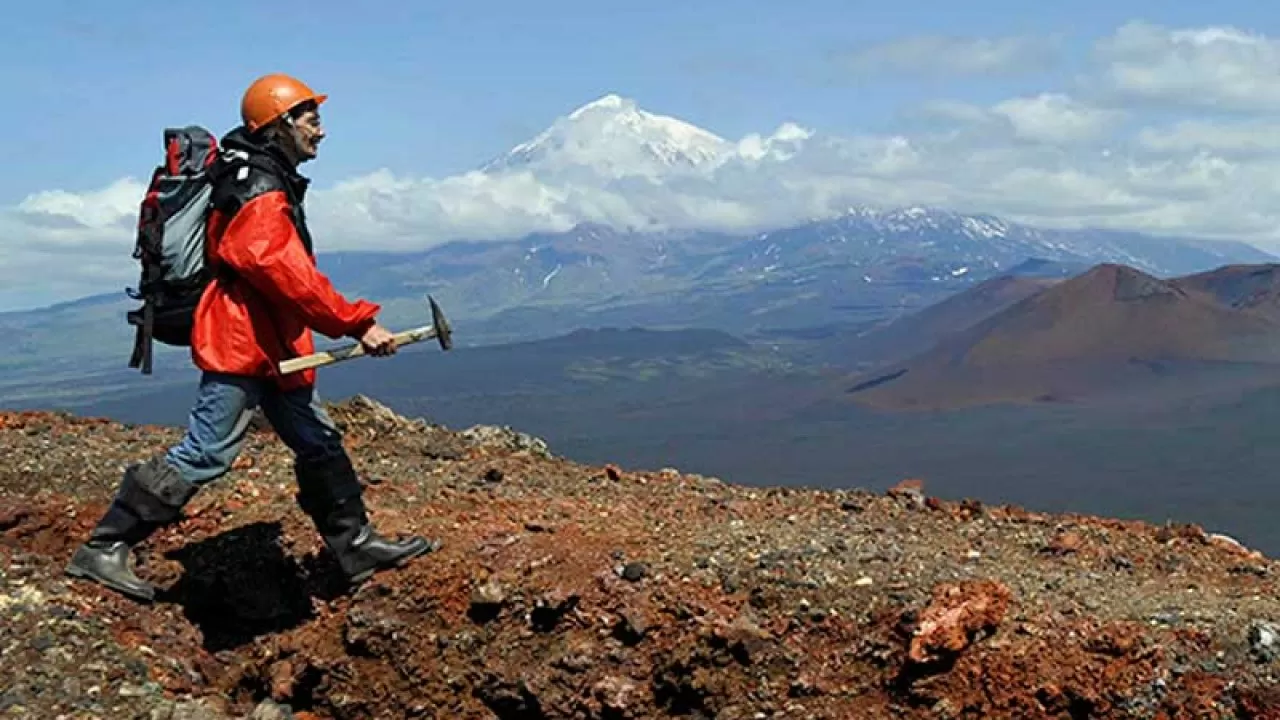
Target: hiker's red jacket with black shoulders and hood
(267, 295)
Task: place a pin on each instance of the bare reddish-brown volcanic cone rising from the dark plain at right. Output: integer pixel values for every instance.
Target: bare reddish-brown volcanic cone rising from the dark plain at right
(1105, 331)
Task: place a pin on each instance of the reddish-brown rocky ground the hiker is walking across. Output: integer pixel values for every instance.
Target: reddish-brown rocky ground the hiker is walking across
(570, 591)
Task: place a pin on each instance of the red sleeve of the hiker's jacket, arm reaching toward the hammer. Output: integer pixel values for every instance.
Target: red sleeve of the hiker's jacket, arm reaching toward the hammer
(263, 247)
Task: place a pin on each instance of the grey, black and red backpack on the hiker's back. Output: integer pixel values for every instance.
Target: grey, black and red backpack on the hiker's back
(171, 243)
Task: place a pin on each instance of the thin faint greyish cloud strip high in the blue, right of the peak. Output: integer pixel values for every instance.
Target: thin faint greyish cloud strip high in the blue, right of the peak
(952, 56)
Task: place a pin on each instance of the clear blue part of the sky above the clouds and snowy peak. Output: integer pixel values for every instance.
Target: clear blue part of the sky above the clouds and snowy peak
(437, 88)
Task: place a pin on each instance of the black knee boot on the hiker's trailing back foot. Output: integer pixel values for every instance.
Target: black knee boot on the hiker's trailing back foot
(152, 496)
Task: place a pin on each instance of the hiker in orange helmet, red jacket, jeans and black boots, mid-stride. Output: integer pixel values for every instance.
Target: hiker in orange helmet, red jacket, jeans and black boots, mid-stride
(263, 302)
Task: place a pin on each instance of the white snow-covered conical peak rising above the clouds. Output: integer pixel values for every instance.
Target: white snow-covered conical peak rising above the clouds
(612, 138)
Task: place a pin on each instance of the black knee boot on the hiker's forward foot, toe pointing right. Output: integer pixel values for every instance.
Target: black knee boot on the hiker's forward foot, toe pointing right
(331, 495)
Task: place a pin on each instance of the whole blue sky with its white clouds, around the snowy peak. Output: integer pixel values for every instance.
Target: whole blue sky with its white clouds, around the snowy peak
(424, 92)
